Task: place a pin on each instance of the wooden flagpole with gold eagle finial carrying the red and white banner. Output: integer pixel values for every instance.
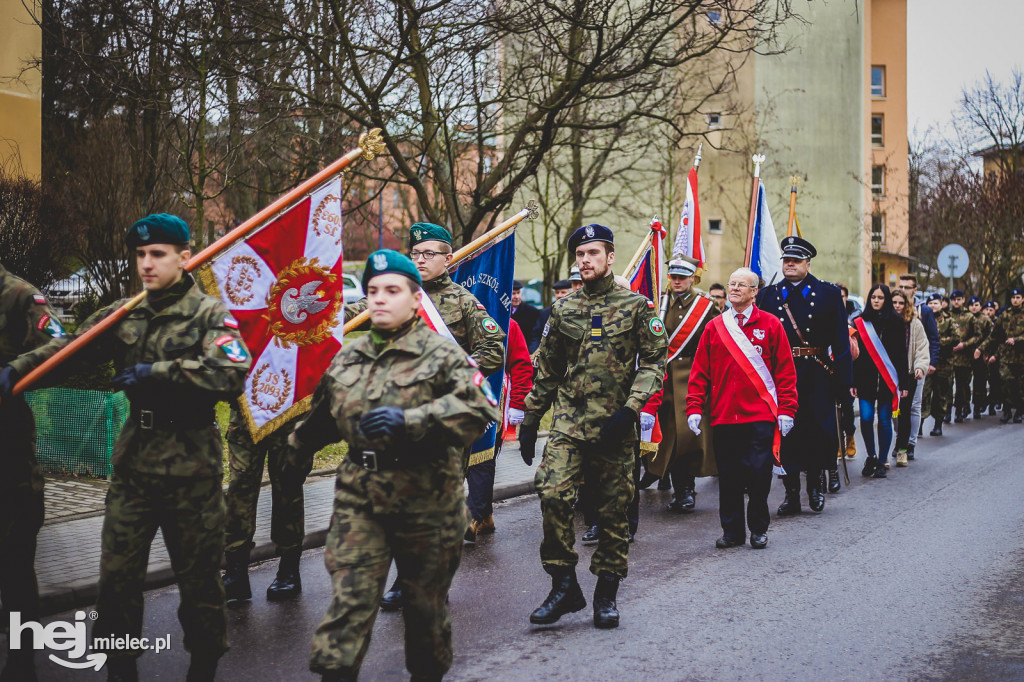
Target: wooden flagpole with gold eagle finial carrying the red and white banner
(371, 145)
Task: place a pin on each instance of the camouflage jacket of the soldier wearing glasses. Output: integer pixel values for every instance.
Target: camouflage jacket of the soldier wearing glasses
(466, 318)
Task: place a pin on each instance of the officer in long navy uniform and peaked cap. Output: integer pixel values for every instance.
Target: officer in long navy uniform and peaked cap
(813, 314)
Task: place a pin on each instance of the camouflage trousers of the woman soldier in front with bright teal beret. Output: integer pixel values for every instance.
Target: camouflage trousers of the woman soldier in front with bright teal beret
(415, 517)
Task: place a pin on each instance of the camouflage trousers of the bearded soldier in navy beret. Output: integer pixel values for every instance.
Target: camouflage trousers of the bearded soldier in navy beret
(610, 479)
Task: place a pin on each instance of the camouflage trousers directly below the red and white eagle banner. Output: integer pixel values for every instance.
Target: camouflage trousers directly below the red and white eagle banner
(246, 460)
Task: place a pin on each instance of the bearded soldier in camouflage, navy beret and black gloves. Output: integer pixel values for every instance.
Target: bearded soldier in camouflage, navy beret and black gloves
(602, 359)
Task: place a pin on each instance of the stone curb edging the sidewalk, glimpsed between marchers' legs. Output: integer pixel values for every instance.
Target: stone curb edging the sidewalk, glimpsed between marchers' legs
(83, 593)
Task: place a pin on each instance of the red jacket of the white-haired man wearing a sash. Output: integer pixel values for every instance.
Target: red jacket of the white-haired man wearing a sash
(716, 376)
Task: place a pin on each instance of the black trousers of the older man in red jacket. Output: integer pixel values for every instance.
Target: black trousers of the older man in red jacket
(745, 462)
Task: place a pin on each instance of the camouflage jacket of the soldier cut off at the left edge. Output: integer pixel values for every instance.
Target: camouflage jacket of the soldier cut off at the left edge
(27, 322)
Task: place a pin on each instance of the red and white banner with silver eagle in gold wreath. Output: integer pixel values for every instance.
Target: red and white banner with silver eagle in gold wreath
(283, 284)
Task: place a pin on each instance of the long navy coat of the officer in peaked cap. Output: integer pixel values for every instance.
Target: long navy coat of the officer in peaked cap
(818, 308)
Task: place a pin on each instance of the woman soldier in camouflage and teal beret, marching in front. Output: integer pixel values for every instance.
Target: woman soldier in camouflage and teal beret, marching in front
(408, 402)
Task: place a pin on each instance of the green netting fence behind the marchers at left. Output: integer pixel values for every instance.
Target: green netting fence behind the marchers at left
(76, 430)
